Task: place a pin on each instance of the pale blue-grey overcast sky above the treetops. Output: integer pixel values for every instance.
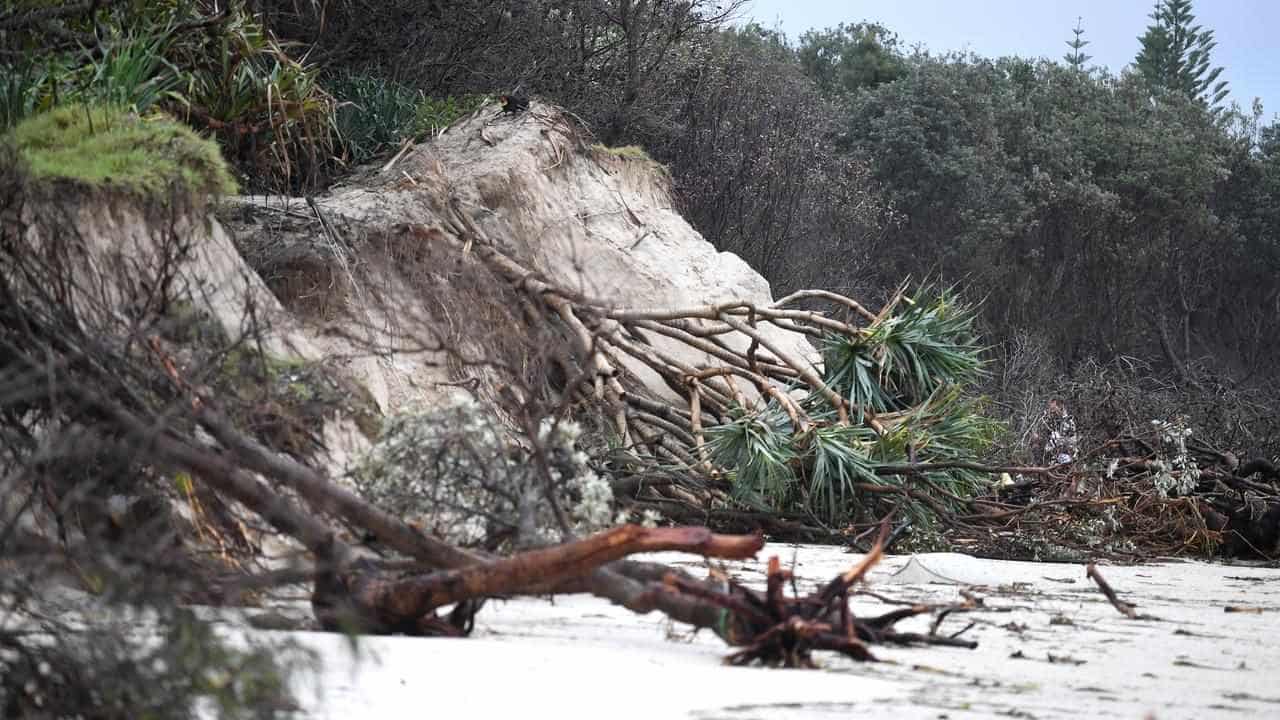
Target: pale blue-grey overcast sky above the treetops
(1247, 31)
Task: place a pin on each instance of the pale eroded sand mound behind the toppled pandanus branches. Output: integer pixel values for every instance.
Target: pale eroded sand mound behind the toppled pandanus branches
(371, 263)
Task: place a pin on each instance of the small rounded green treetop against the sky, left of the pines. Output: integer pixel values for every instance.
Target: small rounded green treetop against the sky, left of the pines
(851, 57)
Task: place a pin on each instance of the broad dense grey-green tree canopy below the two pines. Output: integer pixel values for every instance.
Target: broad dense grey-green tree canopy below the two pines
(1034, 183)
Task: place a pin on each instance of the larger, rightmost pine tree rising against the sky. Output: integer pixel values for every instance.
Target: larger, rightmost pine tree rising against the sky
(1176, 54)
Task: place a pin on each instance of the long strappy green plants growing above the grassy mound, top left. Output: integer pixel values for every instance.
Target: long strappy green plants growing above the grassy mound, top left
(225, 75)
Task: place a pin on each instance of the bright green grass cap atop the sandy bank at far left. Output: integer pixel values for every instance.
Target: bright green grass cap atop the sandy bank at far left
(109, 148)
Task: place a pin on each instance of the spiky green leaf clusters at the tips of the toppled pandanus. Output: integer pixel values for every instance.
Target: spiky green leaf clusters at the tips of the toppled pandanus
(912, 370)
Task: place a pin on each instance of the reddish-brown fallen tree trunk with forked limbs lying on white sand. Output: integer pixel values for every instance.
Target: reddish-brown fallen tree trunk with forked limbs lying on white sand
(351, 594)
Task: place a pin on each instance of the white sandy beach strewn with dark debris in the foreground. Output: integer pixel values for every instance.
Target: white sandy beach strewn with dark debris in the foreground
(583, 658)
